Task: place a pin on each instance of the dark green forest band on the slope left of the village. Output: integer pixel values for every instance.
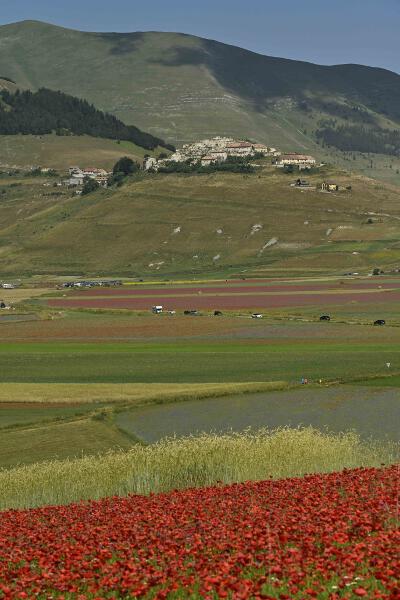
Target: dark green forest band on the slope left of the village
(47, 111)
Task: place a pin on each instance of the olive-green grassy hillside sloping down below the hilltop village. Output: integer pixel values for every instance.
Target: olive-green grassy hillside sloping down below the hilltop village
(197, 224)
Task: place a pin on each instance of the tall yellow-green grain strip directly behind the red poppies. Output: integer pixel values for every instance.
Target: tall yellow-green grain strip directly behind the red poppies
(190, 462)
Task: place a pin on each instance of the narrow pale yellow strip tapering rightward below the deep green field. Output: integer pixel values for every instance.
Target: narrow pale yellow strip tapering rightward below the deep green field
(135, 393)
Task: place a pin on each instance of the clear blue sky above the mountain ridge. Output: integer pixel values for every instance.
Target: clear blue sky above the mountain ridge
(322, 31)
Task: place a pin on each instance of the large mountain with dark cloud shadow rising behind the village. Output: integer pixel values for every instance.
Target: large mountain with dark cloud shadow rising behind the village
(180, 87)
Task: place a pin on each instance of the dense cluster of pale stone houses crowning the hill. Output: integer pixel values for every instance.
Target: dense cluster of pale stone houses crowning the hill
(212, 151)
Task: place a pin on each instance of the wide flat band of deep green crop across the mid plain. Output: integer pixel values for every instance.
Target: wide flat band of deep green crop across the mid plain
(186, 362)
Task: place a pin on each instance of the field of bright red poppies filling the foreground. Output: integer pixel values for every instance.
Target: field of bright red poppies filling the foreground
(322, 536)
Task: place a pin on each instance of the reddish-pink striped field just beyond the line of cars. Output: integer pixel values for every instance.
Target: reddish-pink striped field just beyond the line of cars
(236, 296)
